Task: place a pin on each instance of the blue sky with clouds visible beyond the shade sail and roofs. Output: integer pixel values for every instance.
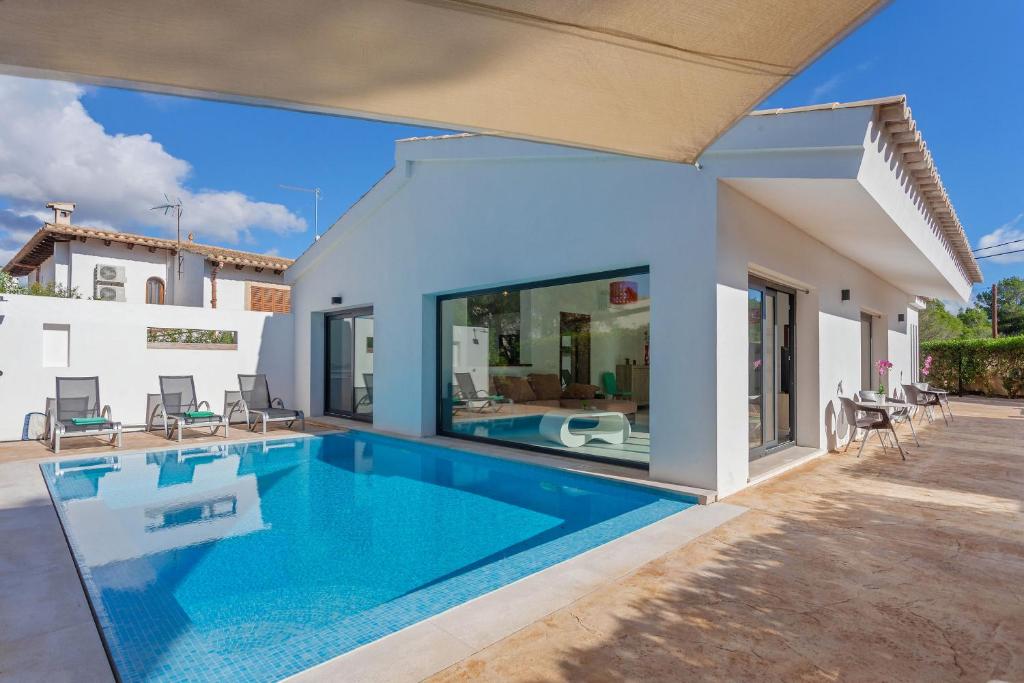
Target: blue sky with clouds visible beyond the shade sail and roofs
(960, 65)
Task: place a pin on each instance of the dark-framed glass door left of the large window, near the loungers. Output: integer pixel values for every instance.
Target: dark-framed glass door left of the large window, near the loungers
(349, 382)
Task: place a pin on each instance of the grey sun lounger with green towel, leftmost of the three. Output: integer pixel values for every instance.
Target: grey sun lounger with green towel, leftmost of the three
(77, 412)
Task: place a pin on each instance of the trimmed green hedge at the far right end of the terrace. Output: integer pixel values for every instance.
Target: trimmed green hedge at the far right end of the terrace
(963, 364)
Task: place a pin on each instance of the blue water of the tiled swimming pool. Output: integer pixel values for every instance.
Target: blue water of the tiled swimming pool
(254, 562)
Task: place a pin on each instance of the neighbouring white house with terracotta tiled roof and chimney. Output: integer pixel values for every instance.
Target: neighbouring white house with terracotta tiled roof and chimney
(120, 267)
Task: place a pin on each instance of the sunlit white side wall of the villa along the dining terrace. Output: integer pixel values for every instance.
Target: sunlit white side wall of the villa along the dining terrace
(828, 336)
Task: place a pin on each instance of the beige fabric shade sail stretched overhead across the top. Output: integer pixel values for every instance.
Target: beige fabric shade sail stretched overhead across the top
(653, 78)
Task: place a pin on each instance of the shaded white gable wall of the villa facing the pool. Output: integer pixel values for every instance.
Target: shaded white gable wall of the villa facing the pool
(534, 212)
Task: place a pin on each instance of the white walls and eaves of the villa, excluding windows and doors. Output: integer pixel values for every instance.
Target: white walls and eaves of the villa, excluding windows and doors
(462, 215)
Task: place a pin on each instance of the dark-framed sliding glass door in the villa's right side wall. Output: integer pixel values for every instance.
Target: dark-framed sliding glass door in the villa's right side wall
(772, 334)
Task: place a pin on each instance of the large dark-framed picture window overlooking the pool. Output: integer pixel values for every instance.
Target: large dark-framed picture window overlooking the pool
(562, 366)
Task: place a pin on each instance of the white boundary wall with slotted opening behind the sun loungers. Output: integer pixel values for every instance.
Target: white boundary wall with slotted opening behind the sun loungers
(109, 340)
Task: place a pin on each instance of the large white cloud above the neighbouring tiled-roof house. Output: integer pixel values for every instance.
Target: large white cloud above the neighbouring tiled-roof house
(53, 150)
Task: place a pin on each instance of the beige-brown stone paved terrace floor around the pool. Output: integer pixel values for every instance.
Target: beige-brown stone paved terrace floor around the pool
(848, 570)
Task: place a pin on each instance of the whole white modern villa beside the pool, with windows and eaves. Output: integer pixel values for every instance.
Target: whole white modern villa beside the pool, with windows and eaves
(701, 321)
